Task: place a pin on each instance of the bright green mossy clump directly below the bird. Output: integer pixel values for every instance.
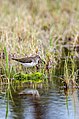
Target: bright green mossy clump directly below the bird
(33, 77)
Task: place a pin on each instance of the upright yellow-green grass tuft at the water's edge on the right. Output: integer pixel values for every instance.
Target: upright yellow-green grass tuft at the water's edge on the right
(70, 72)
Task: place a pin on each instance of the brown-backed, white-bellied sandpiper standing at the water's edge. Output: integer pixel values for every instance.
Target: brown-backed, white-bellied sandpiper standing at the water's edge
(29, 61)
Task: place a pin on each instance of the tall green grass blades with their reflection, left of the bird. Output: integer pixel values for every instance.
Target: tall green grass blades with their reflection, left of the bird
(8, 71)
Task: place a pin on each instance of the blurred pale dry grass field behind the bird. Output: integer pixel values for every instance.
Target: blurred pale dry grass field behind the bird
(28, 27)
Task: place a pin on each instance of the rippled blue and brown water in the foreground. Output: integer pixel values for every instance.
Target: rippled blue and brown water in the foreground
(53, 103)
